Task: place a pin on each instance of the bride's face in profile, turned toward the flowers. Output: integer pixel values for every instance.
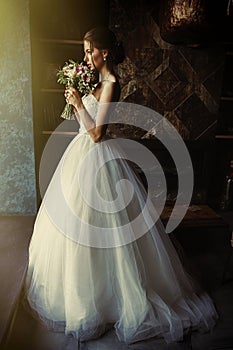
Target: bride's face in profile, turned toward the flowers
(93, 56)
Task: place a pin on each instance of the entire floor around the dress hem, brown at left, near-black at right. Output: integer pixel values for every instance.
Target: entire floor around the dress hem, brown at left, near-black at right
(207, 252)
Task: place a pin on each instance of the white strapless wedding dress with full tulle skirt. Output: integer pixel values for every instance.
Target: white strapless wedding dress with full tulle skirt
(83, 278)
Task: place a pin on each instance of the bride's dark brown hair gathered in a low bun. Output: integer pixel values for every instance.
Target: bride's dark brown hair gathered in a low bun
(104, 39)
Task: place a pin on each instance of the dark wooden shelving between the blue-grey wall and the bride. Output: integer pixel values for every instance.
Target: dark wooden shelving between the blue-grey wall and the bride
(57, 29)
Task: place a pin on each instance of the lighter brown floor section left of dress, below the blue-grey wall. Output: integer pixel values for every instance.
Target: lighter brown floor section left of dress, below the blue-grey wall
(15, 233)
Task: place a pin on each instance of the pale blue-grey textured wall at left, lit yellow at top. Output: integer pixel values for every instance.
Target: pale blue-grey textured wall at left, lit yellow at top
(17, 174)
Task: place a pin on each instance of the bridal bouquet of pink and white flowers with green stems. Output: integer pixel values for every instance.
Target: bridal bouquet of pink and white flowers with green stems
(79, 76)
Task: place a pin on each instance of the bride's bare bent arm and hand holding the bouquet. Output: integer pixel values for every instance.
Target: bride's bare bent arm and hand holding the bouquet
(95, 129)
